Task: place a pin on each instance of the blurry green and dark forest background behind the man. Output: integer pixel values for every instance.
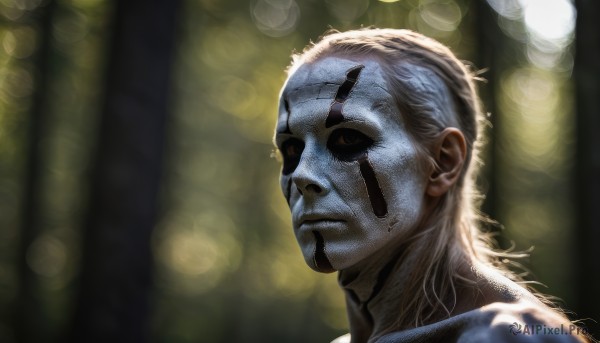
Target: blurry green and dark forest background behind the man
(138, 199)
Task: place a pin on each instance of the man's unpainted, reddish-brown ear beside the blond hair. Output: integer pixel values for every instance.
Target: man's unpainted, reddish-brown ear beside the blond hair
(449, 151)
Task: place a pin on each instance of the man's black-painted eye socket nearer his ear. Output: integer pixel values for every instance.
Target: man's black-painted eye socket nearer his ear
(348, 144)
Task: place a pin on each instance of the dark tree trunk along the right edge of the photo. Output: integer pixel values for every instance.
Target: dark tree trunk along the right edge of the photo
(587, 83)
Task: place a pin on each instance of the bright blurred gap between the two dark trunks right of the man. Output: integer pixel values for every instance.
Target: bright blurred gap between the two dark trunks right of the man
(535, 135)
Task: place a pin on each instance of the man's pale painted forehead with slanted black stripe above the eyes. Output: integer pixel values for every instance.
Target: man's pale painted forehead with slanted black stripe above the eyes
(312, 88)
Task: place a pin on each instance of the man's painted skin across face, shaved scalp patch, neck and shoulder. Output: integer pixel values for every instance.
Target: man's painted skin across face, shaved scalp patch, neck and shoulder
(356, 191)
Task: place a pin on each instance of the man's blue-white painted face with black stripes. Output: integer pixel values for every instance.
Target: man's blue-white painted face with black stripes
(350, 172)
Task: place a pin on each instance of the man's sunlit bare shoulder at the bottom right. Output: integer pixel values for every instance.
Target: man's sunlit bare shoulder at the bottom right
(522, 321)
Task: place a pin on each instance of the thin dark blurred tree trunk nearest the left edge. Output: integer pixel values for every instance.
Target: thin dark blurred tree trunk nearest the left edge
(29, 321)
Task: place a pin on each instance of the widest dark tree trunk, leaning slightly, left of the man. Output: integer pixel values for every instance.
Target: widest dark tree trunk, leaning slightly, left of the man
(116, 271)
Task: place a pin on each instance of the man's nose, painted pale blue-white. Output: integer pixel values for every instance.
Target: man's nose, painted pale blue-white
(308, 178)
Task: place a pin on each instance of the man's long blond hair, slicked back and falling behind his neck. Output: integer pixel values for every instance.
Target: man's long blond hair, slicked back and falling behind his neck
(450, 239)
